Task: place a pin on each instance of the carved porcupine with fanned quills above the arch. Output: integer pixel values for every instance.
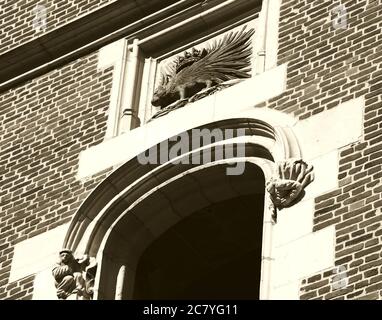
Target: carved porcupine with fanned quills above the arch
(226, 59)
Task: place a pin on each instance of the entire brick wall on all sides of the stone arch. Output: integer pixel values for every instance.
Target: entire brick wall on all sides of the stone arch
(48, 121)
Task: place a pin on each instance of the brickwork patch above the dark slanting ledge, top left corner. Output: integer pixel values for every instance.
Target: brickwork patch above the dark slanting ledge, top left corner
(17, 16)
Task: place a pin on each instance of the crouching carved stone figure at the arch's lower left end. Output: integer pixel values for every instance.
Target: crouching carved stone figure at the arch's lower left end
(74, 276)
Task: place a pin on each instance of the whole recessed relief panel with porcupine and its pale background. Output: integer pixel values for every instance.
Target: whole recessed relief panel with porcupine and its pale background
(204, 69)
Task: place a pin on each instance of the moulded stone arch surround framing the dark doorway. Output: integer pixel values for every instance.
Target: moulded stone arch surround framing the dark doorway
(98, 223)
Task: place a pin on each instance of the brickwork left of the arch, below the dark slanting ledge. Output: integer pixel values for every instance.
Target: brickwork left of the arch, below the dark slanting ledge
(45, 123)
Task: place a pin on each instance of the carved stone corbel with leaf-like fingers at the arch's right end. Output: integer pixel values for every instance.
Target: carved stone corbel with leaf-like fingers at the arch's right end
(287, 186)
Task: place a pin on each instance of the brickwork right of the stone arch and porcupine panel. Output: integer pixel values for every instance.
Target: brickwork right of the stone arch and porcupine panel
(328, 67)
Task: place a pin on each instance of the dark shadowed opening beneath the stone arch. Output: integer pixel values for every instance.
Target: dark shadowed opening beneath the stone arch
(215, 252)
